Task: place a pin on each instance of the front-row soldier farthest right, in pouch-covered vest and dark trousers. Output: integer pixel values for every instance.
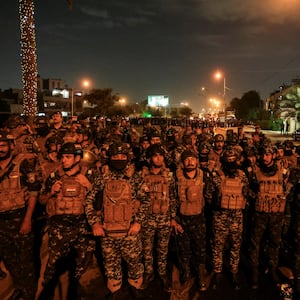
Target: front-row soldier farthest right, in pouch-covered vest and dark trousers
(269, 216)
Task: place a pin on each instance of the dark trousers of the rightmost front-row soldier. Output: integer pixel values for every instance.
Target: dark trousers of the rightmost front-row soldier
(270, 223)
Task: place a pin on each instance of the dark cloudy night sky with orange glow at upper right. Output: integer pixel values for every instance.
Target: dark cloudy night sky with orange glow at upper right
(159, 47)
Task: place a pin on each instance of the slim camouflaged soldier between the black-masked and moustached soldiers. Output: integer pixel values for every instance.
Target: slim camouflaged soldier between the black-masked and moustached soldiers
(159, 185)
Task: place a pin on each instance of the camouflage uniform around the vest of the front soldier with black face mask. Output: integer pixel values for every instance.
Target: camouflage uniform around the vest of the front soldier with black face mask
(116, 244)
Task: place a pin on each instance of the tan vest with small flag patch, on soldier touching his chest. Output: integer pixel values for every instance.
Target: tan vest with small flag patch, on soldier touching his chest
(70, 199)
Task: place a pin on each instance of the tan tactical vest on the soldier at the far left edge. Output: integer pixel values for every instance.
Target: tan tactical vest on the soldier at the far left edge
(12, 195)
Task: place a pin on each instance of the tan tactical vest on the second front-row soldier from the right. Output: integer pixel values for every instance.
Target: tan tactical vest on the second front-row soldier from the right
(232, 193)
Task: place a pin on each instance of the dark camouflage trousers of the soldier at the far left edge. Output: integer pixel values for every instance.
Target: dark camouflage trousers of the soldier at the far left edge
(16, 251)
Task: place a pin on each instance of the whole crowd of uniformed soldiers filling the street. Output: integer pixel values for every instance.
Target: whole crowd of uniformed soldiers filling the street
(145, 201)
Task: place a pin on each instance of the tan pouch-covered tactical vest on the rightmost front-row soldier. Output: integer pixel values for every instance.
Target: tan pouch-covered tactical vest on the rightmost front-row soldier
(271, 197)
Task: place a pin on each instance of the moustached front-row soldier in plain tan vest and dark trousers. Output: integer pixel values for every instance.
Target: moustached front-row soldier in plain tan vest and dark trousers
(191, 239)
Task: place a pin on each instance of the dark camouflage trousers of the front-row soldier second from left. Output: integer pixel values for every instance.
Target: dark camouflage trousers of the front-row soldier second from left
(66, 233)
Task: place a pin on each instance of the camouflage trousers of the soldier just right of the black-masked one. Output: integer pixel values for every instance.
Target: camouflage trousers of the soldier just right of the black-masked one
(161, 228)
